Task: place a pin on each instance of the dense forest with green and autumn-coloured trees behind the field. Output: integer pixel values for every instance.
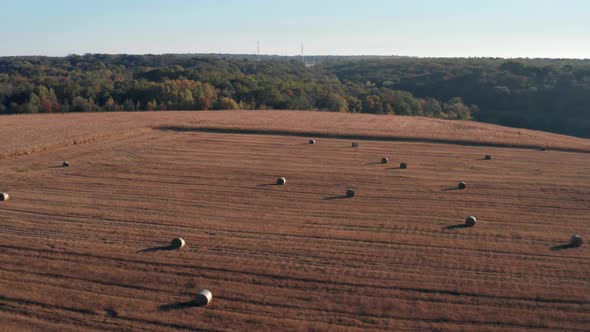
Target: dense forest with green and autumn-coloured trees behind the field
(551, 95)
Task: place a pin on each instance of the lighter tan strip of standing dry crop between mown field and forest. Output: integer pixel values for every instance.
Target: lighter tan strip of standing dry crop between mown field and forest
(28, 134)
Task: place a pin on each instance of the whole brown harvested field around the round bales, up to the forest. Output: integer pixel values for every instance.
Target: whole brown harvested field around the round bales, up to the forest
(85, 247)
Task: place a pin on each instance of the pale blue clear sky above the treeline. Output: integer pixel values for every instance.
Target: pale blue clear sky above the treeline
(504, 28)
